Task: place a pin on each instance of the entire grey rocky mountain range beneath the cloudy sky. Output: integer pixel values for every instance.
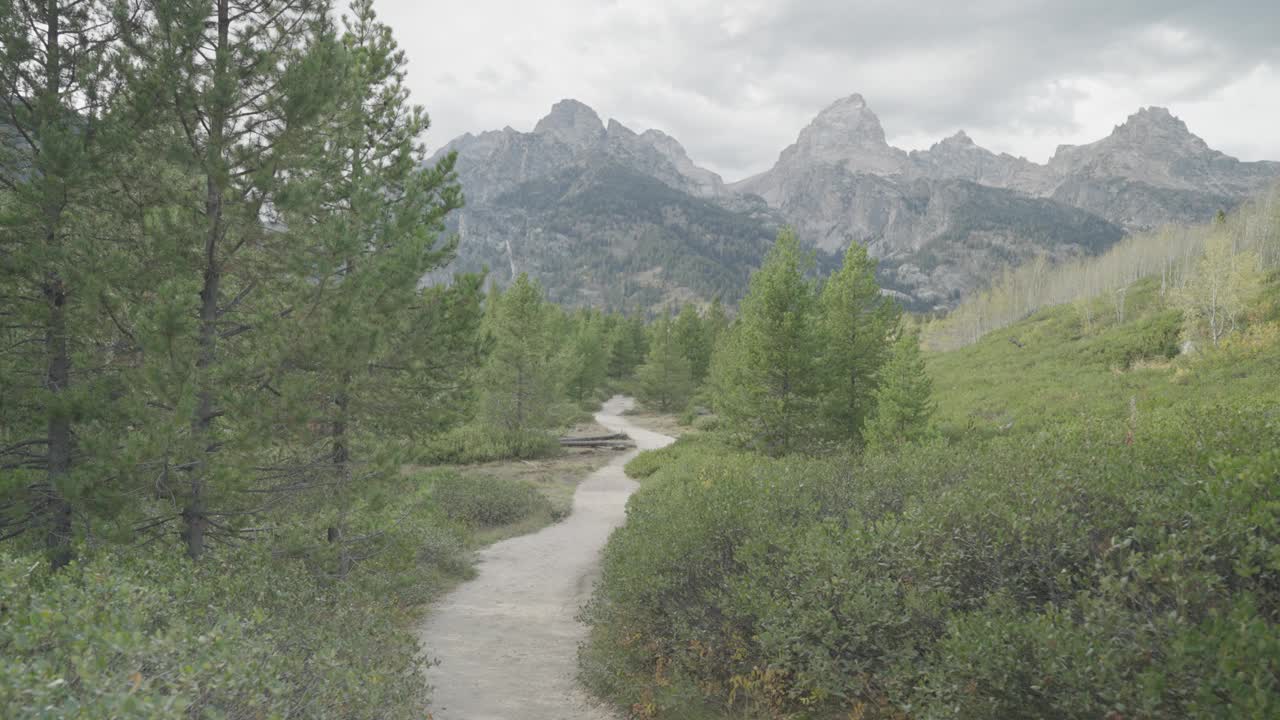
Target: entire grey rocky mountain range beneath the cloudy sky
(610, 217)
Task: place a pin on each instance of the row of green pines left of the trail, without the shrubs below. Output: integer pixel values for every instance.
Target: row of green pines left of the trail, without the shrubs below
(216, 220)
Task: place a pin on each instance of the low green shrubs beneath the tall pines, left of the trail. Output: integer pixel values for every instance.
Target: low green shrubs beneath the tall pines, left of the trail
(147, 635)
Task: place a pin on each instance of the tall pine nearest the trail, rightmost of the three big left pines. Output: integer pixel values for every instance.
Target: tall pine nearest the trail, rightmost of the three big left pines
(373, 213)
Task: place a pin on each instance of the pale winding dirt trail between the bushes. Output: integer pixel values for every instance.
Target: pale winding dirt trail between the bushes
(508, 641)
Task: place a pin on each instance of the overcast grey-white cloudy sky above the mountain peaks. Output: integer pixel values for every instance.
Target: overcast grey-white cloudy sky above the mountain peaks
(737, 80)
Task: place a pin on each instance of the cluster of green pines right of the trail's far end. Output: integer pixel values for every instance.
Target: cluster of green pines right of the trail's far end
(807, 364)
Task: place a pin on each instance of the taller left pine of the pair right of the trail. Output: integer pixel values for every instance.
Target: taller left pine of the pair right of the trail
(765, 372)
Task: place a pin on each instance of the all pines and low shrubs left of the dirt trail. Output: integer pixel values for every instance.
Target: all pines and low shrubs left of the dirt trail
(218, 359)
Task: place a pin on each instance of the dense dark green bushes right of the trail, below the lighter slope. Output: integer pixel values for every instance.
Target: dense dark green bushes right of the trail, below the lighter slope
(1086, 573)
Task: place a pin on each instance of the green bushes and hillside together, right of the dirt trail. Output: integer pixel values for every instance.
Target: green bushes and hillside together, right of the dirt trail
(1089, 527)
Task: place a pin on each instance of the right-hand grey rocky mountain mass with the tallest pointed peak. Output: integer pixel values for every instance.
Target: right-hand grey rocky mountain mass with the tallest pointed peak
(944, 220)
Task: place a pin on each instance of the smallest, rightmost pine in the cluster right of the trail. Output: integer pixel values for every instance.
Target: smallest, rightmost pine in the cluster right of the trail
(904, 400)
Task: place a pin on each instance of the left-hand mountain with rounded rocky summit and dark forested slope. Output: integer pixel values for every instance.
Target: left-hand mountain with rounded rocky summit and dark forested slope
(605, 216)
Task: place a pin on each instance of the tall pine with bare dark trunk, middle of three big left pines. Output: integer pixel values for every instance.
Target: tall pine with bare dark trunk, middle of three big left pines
(234, 94)
